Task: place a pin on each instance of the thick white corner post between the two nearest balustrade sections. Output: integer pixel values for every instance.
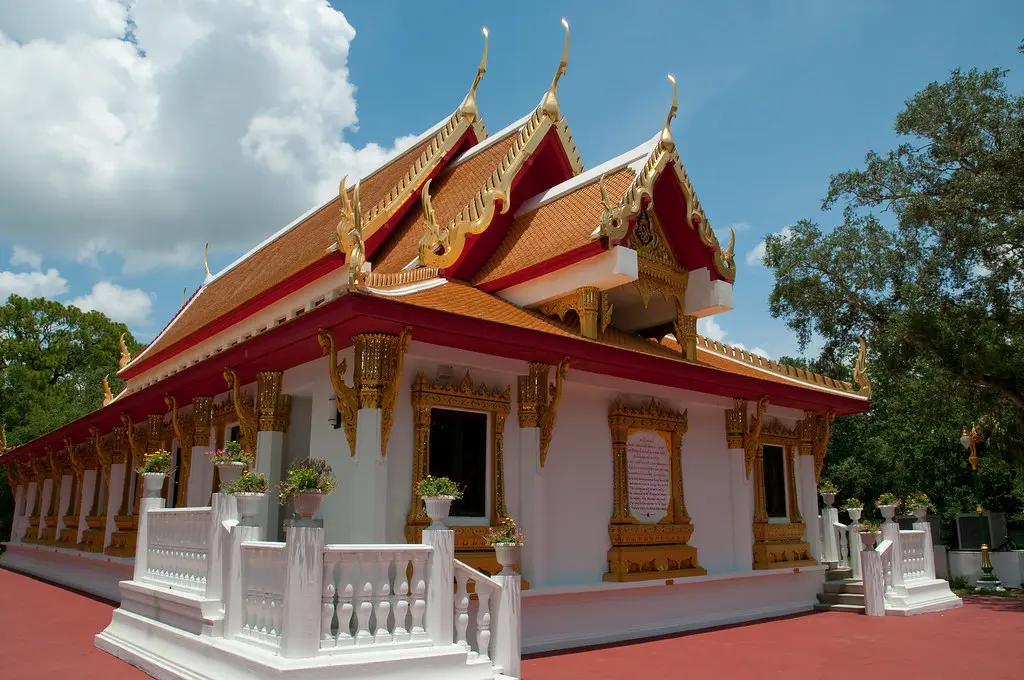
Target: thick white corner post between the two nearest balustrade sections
(304, 583)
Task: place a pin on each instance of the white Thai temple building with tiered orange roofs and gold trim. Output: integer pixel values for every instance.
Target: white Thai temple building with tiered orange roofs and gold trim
(483, 308)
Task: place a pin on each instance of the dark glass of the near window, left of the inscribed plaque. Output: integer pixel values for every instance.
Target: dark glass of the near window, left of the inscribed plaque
(459, 451)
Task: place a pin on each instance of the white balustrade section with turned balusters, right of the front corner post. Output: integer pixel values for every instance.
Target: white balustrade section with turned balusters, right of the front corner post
(374, 596)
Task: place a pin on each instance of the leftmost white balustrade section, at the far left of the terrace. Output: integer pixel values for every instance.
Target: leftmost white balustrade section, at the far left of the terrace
(178, 548)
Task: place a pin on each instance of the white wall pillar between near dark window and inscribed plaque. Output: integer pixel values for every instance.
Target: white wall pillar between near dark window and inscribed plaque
(532, 498)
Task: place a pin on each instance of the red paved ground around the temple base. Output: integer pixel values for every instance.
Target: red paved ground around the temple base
(47, 632)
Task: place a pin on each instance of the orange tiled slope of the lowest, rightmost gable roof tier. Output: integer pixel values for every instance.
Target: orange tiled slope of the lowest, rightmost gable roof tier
(557, 228)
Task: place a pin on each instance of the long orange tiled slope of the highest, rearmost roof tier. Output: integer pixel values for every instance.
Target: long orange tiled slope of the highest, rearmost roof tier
(289, 253)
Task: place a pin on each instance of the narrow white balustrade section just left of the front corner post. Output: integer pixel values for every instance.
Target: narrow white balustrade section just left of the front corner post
(264, 589)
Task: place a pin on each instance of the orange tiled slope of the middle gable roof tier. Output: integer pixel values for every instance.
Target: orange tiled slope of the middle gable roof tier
(451, 192)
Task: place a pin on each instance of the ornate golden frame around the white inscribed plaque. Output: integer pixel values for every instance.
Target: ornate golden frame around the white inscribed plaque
(643, 551)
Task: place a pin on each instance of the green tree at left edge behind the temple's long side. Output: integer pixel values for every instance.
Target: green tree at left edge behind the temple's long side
(53, 363)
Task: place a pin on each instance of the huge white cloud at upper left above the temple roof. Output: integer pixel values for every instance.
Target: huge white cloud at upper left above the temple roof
(223, 122)
